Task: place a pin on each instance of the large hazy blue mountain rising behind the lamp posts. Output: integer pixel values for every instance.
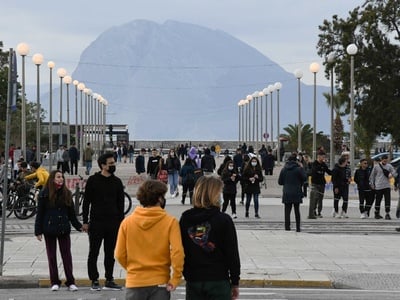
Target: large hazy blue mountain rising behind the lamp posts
(179, 81)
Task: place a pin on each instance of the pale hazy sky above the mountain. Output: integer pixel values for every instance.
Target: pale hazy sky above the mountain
(286, 31)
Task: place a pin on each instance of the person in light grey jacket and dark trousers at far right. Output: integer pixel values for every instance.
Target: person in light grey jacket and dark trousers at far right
(379, 180)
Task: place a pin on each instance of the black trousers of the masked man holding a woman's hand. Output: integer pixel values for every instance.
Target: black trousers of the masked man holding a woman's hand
(97, 233)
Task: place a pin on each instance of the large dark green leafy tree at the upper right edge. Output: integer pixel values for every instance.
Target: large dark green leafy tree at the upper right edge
(374, 28)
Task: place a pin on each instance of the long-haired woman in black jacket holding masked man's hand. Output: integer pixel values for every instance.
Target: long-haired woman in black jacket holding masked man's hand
(55, 214)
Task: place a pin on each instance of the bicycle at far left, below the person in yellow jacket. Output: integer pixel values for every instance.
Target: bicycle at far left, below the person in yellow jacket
(20, 202)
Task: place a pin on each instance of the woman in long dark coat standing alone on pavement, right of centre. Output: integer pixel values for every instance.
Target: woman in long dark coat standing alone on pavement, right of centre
(292, 178)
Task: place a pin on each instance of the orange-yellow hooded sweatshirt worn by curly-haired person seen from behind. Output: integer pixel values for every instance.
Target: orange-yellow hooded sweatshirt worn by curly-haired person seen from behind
(149, 243)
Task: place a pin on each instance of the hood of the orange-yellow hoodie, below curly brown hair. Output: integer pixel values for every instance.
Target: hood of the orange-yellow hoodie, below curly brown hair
(147, 217)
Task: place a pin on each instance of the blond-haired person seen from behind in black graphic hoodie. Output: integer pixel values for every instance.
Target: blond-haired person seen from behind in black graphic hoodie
(212, 261)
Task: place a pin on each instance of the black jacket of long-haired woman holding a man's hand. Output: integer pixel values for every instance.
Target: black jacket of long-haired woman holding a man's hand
(54, 219)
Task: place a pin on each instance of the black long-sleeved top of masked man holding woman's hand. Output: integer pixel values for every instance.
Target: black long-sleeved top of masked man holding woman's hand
(104, 199)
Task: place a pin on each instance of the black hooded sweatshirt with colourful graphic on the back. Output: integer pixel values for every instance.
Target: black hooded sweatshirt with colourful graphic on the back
(211, 246)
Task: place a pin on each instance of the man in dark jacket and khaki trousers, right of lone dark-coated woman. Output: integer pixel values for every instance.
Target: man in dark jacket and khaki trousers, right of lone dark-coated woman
(318, 170)
